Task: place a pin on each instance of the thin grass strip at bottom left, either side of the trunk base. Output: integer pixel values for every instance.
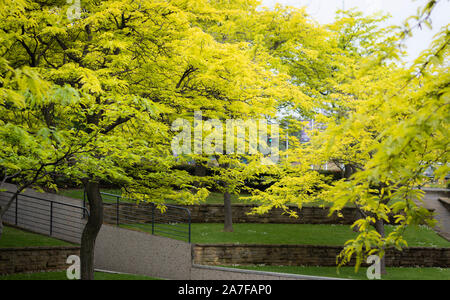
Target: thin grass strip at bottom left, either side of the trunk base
(62, 276)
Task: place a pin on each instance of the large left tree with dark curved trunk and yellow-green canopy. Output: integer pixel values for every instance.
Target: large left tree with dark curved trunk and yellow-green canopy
(116, 79)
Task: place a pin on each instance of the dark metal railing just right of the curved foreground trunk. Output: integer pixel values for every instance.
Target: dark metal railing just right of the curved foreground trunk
(174, 222)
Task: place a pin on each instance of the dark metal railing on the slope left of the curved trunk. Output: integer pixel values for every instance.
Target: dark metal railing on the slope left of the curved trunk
(57, 219)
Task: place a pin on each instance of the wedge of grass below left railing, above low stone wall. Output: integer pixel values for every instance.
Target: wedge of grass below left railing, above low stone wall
(13, 237)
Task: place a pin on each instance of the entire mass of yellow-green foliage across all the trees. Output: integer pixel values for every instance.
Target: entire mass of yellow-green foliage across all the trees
(94, 99)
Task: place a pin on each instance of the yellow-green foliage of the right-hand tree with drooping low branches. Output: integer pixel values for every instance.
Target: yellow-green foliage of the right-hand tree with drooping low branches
(387, 125)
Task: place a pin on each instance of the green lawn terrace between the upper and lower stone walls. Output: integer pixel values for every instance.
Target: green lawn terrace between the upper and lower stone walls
(295, 234)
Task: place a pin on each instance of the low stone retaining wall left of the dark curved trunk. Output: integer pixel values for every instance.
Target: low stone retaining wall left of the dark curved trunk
(35, 259)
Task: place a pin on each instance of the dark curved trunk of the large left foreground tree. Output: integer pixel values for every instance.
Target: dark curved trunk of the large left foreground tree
(91, 230)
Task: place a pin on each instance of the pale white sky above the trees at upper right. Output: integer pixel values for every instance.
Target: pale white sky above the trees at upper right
(324, 12)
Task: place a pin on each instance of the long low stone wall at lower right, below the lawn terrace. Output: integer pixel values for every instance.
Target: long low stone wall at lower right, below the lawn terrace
(309, 255)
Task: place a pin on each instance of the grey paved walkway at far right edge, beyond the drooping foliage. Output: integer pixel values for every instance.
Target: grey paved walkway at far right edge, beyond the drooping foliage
(431, 201)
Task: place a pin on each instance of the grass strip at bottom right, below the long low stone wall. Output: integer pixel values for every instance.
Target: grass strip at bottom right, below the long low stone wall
(349, 272)
